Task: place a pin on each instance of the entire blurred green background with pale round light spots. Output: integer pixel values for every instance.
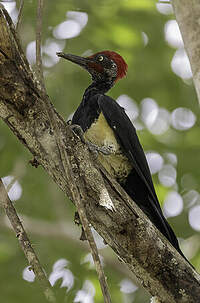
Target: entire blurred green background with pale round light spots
(159, 97)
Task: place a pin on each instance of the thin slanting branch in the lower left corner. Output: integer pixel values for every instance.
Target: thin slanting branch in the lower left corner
(25, 243)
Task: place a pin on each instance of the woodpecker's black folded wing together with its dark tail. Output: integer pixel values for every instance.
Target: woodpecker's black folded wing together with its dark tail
(126, 136)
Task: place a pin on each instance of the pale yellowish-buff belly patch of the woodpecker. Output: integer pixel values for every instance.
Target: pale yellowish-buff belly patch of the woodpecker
(102, 135)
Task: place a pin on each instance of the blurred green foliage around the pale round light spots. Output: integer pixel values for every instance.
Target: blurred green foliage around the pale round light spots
(118, 26)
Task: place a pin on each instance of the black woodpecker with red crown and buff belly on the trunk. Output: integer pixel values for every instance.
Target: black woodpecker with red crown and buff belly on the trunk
(106, 125)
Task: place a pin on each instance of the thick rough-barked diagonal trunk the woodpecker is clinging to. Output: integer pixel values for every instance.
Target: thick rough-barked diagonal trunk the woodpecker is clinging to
(25, 109)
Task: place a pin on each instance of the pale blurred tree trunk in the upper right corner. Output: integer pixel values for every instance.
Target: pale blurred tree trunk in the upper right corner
(188, 17)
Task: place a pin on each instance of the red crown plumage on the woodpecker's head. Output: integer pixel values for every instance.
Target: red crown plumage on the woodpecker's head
(114, 57)
